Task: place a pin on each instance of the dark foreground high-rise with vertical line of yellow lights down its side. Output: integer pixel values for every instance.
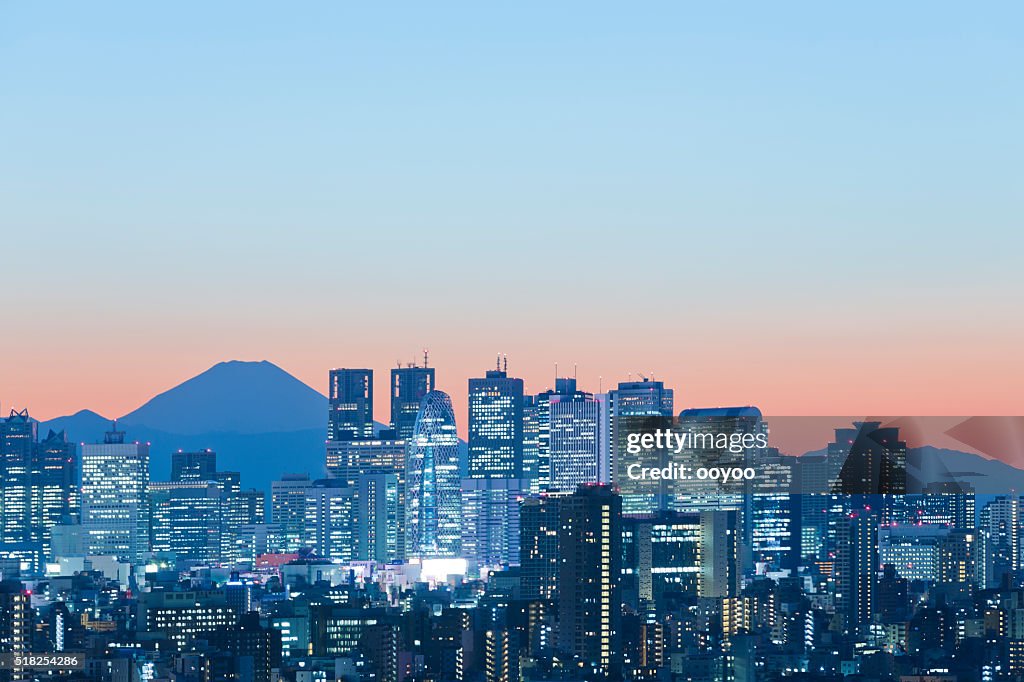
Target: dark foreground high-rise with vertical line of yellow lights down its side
(589, 592)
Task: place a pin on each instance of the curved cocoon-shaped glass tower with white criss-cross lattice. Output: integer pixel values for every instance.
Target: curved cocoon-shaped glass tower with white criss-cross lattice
(434, 524)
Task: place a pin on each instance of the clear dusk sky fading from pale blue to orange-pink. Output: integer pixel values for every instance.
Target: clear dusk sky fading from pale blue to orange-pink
(809, 207)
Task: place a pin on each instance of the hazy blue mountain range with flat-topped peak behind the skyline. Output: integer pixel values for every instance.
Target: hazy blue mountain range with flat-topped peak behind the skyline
(264, 422)
